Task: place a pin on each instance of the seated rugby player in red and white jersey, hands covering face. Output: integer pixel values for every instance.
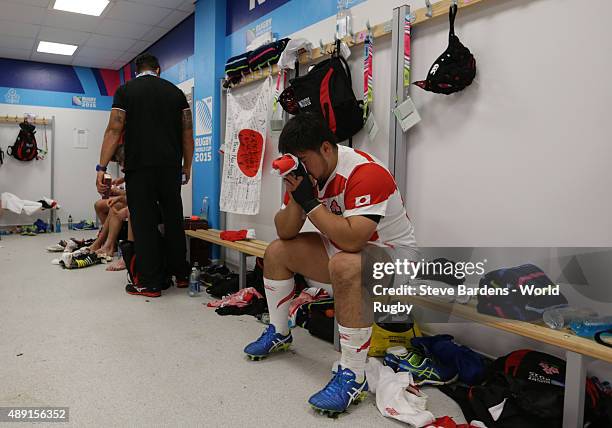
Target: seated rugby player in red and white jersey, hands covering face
(354, 202)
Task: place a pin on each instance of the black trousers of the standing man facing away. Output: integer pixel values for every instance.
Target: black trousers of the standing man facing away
(150, 192)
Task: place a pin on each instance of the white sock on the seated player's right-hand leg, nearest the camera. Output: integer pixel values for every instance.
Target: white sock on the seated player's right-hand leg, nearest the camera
(355, 344)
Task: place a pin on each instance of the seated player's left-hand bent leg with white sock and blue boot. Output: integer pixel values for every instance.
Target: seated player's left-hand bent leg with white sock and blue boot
(306, 255)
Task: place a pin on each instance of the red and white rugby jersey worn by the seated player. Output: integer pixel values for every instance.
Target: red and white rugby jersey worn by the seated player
(362, 185)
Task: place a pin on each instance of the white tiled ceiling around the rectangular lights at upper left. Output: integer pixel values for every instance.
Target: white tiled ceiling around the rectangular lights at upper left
(125, 29)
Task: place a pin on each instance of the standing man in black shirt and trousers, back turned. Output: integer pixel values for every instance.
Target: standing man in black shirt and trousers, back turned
(156, 119)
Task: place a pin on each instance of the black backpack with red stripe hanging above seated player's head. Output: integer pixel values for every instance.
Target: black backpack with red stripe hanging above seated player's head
(327, 89)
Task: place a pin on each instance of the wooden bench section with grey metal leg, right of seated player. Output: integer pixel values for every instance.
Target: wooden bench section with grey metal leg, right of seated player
(578, 350)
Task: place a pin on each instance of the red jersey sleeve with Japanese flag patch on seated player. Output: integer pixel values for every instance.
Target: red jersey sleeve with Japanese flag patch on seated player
(368, 188)
